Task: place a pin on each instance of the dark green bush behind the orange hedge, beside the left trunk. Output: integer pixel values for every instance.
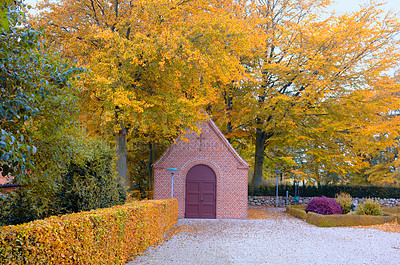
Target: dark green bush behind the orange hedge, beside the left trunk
(92, 183)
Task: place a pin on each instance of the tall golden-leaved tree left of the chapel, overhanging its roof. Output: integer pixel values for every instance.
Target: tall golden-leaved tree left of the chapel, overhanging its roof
(154, 64)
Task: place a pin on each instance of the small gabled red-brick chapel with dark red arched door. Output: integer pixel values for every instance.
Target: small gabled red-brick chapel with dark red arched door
(212, 178)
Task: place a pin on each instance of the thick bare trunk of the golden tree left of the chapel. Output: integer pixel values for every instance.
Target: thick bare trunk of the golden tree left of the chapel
(122, 157)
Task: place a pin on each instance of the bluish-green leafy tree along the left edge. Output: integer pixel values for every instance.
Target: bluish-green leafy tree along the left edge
(30, 78)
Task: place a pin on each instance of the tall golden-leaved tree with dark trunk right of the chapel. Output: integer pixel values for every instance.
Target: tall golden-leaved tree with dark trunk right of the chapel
(325, 93)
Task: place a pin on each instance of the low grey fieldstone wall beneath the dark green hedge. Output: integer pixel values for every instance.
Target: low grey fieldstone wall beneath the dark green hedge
(283, 201)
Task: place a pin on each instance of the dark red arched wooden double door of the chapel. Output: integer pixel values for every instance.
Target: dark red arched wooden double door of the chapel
(200, 200)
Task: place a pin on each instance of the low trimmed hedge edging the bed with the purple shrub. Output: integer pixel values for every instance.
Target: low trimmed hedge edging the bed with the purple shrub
(337, 219)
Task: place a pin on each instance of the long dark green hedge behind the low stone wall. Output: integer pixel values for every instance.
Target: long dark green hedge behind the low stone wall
(329, 191)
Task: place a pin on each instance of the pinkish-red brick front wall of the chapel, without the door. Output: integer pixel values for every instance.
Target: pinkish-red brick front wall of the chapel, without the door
(214, 151)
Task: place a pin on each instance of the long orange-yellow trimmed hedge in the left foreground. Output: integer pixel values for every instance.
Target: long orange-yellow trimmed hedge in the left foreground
(103, 236)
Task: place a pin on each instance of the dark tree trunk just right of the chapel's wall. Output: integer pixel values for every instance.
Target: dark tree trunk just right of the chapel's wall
(259, 159)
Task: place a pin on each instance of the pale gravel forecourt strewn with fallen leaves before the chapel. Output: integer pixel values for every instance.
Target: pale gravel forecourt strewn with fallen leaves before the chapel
(280, 239)
